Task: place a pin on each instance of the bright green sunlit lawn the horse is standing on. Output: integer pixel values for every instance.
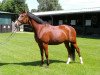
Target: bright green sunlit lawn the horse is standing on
(21, 56)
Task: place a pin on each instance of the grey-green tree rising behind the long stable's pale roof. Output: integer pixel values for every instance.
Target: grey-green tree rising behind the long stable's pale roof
(48, 5)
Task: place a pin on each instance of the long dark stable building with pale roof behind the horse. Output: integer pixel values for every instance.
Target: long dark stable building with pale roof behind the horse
(86, 21)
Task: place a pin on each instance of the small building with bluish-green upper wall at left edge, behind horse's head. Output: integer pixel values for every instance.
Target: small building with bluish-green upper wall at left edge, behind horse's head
(6, 19)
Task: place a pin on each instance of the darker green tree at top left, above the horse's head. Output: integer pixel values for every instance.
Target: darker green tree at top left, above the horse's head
(14, 6)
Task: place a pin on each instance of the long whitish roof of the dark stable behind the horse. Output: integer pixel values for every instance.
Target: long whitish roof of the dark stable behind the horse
(83, 10)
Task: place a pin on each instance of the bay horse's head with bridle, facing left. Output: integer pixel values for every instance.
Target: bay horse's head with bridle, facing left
(22, 19)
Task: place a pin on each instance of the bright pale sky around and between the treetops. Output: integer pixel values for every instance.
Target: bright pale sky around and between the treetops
(68, 4)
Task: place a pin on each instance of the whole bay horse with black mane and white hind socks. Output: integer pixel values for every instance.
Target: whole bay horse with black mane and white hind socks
(46, 34)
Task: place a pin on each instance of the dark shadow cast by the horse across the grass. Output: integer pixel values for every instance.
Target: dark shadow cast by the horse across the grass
(35, 63)
